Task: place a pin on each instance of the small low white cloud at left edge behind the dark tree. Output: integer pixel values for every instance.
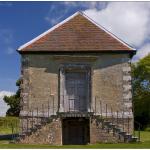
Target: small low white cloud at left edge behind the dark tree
(3, 105)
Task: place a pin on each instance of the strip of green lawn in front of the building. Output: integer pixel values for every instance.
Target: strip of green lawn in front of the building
(145, 143)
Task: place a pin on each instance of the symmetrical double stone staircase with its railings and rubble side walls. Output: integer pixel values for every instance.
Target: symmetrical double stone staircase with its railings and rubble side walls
(105, 122)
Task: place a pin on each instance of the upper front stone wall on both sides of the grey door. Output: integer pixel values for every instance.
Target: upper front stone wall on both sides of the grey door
(110, 81)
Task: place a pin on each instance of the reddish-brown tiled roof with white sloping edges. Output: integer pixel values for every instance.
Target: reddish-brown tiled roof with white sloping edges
(76, 33)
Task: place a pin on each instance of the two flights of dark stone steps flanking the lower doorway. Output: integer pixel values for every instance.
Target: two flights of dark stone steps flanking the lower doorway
(109, 128)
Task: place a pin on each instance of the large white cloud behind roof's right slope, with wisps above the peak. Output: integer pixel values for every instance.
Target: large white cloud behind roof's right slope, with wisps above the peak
(130, 21)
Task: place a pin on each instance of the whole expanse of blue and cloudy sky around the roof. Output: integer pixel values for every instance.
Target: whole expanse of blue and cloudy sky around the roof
(22, 21)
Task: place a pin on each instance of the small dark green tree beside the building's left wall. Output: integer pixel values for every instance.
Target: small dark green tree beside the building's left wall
(14, 102)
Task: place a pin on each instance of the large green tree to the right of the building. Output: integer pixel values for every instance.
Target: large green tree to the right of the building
(141, 91)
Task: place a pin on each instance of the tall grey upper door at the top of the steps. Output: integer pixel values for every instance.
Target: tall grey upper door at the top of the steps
(75, 91)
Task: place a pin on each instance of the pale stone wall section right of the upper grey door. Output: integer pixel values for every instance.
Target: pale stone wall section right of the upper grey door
(108, 82)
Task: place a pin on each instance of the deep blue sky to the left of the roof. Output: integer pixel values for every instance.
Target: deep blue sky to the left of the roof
(20, 22)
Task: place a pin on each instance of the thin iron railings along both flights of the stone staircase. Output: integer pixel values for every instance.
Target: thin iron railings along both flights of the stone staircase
(119, 118)
